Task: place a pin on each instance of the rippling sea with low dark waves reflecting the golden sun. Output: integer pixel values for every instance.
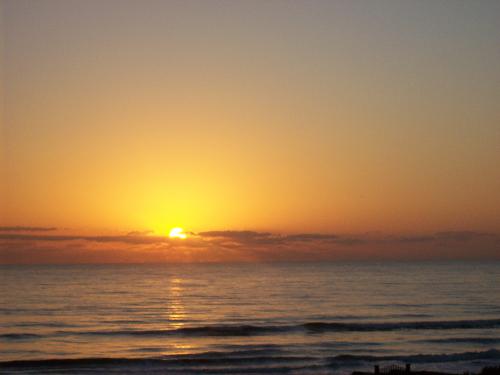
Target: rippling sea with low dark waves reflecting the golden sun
(259, 318)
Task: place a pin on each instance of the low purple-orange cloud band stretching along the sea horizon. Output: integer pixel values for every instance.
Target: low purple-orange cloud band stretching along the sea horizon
(243, 246)
